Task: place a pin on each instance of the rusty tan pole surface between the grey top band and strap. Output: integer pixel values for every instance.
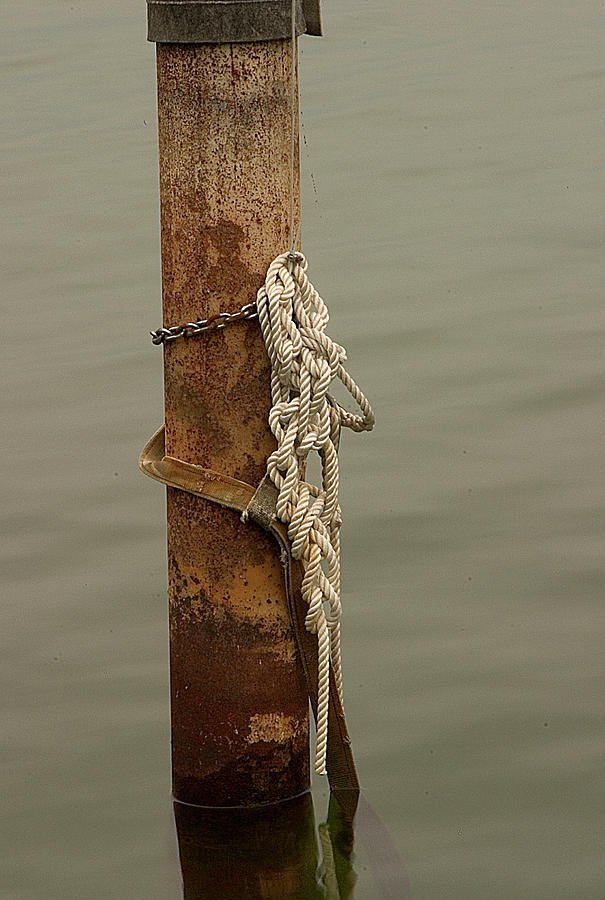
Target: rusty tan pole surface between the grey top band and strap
(224, 123)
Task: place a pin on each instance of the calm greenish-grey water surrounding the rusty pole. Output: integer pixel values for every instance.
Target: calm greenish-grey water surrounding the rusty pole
(455, 150)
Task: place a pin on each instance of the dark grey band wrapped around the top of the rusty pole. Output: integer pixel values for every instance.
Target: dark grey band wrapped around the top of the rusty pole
(228, 21)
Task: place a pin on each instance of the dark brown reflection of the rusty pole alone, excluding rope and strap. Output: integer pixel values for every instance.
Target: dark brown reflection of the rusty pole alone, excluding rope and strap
(261, 854)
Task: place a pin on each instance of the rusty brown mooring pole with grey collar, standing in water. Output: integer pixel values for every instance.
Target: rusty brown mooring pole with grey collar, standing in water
(239, 707)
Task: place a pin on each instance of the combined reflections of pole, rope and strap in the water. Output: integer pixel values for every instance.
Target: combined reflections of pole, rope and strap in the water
(273, 852)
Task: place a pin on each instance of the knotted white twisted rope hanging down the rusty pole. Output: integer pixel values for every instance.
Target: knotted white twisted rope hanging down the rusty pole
(303, 418)
